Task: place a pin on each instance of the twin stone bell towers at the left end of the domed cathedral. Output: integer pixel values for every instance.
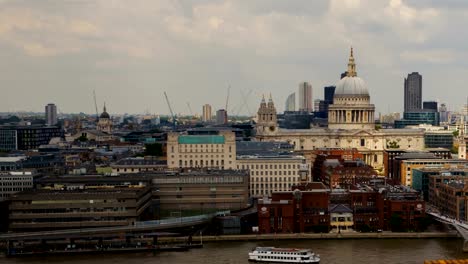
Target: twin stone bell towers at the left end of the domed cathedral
(267, 120)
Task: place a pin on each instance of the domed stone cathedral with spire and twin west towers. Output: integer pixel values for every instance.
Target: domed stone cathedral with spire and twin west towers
(351, 125)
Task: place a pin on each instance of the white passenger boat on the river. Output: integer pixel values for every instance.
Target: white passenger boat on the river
(283, 255)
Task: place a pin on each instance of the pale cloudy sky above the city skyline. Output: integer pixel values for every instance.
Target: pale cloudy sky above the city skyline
(131, 52)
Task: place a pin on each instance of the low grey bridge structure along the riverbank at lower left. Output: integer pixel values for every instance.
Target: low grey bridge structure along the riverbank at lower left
(139, 227)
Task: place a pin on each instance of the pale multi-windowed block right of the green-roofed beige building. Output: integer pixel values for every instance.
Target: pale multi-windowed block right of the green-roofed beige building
(270, 173)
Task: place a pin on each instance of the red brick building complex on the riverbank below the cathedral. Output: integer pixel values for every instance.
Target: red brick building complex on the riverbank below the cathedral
(307, 209)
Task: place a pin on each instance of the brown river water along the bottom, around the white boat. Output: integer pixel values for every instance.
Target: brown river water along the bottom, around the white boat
(391, 251)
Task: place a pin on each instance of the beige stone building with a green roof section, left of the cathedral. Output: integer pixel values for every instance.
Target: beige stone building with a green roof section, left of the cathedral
(201, 151)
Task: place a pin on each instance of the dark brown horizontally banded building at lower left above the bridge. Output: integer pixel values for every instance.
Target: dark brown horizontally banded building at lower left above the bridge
(53, 209)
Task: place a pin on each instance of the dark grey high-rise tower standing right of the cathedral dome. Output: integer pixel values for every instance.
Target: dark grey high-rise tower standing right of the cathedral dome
(413, 92)
